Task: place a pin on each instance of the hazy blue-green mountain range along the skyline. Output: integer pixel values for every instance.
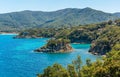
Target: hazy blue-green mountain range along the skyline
(61, 18)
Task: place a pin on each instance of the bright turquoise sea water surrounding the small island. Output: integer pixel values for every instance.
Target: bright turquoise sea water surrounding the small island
(17, 58)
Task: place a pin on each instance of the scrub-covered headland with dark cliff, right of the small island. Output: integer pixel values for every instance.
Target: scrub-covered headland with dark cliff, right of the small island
(104, 43)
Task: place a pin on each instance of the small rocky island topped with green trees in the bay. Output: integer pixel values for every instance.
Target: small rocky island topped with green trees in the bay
(56, 46)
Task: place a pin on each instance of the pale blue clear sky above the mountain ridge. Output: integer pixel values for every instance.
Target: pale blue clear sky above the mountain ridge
(6, 6)
